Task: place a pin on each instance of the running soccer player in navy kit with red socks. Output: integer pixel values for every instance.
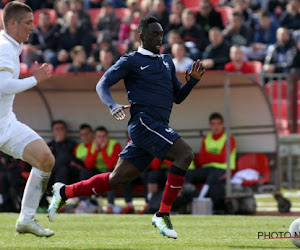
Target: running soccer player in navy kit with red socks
(152, 87)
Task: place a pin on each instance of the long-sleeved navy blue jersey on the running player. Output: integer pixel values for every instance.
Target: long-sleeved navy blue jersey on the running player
(151, 84)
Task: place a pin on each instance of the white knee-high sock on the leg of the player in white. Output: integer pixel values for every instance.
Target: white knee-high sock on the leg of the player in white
(34, 190)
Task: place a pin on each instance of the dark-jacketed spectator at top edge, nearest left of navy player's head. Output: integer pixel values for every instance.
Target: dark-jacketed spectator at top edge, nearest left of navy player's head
(108, 21)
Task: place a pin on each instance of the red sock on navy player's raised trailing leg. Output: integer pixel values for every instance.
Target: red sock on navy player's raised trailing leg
(98, 184)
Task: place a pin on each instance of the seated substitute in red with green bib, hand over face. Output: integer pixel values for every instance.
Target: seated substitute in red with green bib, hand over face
(105, 157)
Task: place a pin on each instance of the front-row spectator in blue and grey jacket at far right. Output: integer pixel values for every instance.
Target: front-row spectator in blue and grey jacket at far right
(280, 56)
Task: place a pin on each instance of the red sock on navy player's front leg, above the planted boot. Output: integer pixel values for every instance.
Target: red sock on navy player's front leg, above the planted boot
(172, 189)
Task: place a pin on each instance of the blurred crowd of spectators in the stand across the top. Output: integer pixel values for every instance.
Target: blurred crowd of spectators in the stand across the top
(89, 36)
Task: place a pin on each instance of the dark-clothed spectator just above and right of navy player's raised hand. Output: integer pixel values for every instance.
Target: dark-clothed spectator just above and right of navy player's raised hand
(217, 53)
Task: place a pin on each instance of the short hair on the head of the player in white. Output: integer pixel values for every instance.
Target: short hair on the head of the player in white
(15, 10)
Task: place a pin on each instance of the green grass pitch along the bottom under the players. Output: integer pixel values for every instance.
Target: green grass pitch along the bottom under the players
(136, 232)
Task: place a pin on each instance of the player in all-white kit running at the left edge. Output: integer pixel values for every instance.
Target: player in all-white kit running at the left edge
(17, 139)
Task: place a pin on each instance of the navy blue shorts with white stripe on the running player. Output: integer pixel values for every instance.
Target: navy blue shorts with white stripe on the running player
(149, 139)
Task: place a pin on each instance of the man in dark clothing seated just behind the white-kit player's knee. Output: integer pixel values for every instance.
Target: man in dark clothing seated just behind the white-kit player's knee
(62, 149)
